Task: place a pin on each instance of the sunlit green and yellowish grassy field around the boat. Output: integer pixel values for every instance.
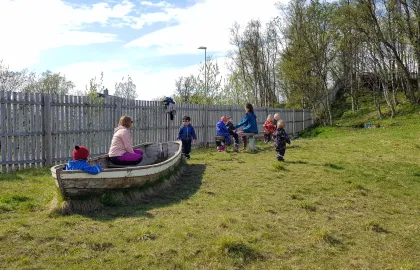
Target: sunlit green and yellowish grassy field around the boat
(345, 198)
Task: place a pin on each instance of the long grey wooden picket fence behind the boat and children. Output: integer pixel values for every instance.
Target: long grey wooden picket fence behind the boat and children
(41, 130)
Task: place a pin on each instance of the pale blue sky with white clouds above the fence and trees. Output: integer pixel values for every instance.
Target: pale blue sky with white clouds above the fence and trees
(154, 42)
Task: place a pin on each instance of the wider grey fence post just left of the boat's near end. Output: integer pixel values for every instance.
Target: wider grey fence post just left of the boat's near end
(47, 144)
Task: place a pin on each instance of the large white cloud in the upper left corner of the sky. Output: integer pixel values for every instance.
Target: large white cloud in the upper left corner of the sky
(29, 27)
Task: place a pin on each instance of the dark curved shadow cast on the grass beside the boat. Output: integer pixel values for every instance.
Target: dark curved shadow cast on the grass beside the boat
(188, 184)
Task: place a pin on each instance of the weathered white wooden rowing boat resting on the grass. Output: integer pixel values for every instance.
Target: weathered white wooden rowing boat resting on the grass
(160, 160)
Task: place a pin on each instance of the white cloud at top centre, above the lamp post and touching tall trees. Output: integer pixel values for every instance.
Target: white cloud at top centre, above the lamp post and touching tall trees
(206, 23)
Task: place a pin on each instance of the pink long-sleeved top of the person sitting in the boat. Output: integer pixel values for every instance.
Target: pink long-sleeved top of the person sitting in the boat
(122, 142)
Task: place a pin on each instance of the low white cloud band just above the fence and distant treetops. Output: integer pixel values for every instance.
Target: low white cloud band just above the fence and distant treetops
(150, 84)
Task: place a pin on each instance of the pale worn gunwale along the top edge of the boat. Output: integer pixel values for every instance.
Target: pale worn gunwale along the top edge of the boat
(58, 169)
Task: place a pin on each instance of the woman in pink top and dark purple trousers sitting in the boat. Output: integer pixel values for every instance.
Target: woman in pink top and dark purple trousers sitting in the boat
(121, 151)
